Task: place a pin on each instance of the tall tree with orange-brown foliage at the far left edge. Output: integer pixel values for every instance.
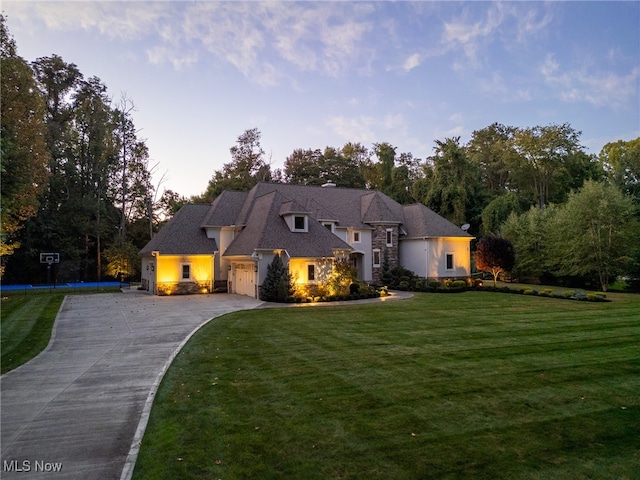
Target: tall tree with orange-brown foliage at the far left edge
(24, 154)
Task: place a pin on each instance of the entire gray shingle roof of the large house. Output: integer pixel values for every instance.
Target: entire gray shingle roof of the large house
(261, 211)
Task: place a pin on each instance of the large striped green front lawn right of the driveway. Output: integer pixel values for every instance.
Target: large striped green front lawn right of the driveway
(471, 385)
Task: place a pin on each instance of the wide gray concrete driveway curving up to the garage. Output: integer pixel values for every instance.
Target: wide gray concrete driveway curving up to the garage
(75, 410)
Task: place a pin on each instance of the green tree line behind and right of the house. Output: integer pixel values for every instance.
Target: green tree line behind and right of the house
(571, 216)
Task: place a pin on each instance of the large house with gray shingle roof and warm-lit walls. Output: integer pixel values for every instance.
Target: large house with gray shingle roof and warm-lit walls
(227, 246)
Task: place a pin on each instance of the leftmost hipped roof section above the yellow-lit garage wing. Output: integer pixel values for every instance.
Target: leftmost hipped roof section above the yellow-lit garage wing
(182, 235)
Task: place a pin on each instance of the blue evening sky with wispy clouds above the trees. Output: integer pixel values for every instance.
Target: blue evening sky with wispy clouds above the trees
(317, 74)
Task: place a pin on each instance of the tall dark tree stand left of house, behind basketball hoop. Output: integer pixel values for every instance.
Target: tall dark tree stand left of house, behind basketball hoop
(76, 178)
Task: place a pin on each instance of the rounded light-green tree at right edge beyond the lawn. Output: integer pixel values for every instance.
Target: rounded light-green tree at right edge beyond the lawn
(597, 233)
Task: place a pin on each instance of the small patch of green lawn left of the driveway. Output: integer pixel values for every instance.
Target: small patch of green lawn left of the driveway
(26, 326)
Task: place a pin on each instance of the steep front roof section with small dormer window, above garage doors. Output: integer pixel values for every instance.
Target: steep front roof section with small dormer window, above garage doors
(266, 229)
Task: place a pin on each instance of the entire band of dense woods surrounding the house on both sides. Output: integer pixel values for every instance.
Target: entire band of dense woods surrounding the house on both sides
(76, 179)
